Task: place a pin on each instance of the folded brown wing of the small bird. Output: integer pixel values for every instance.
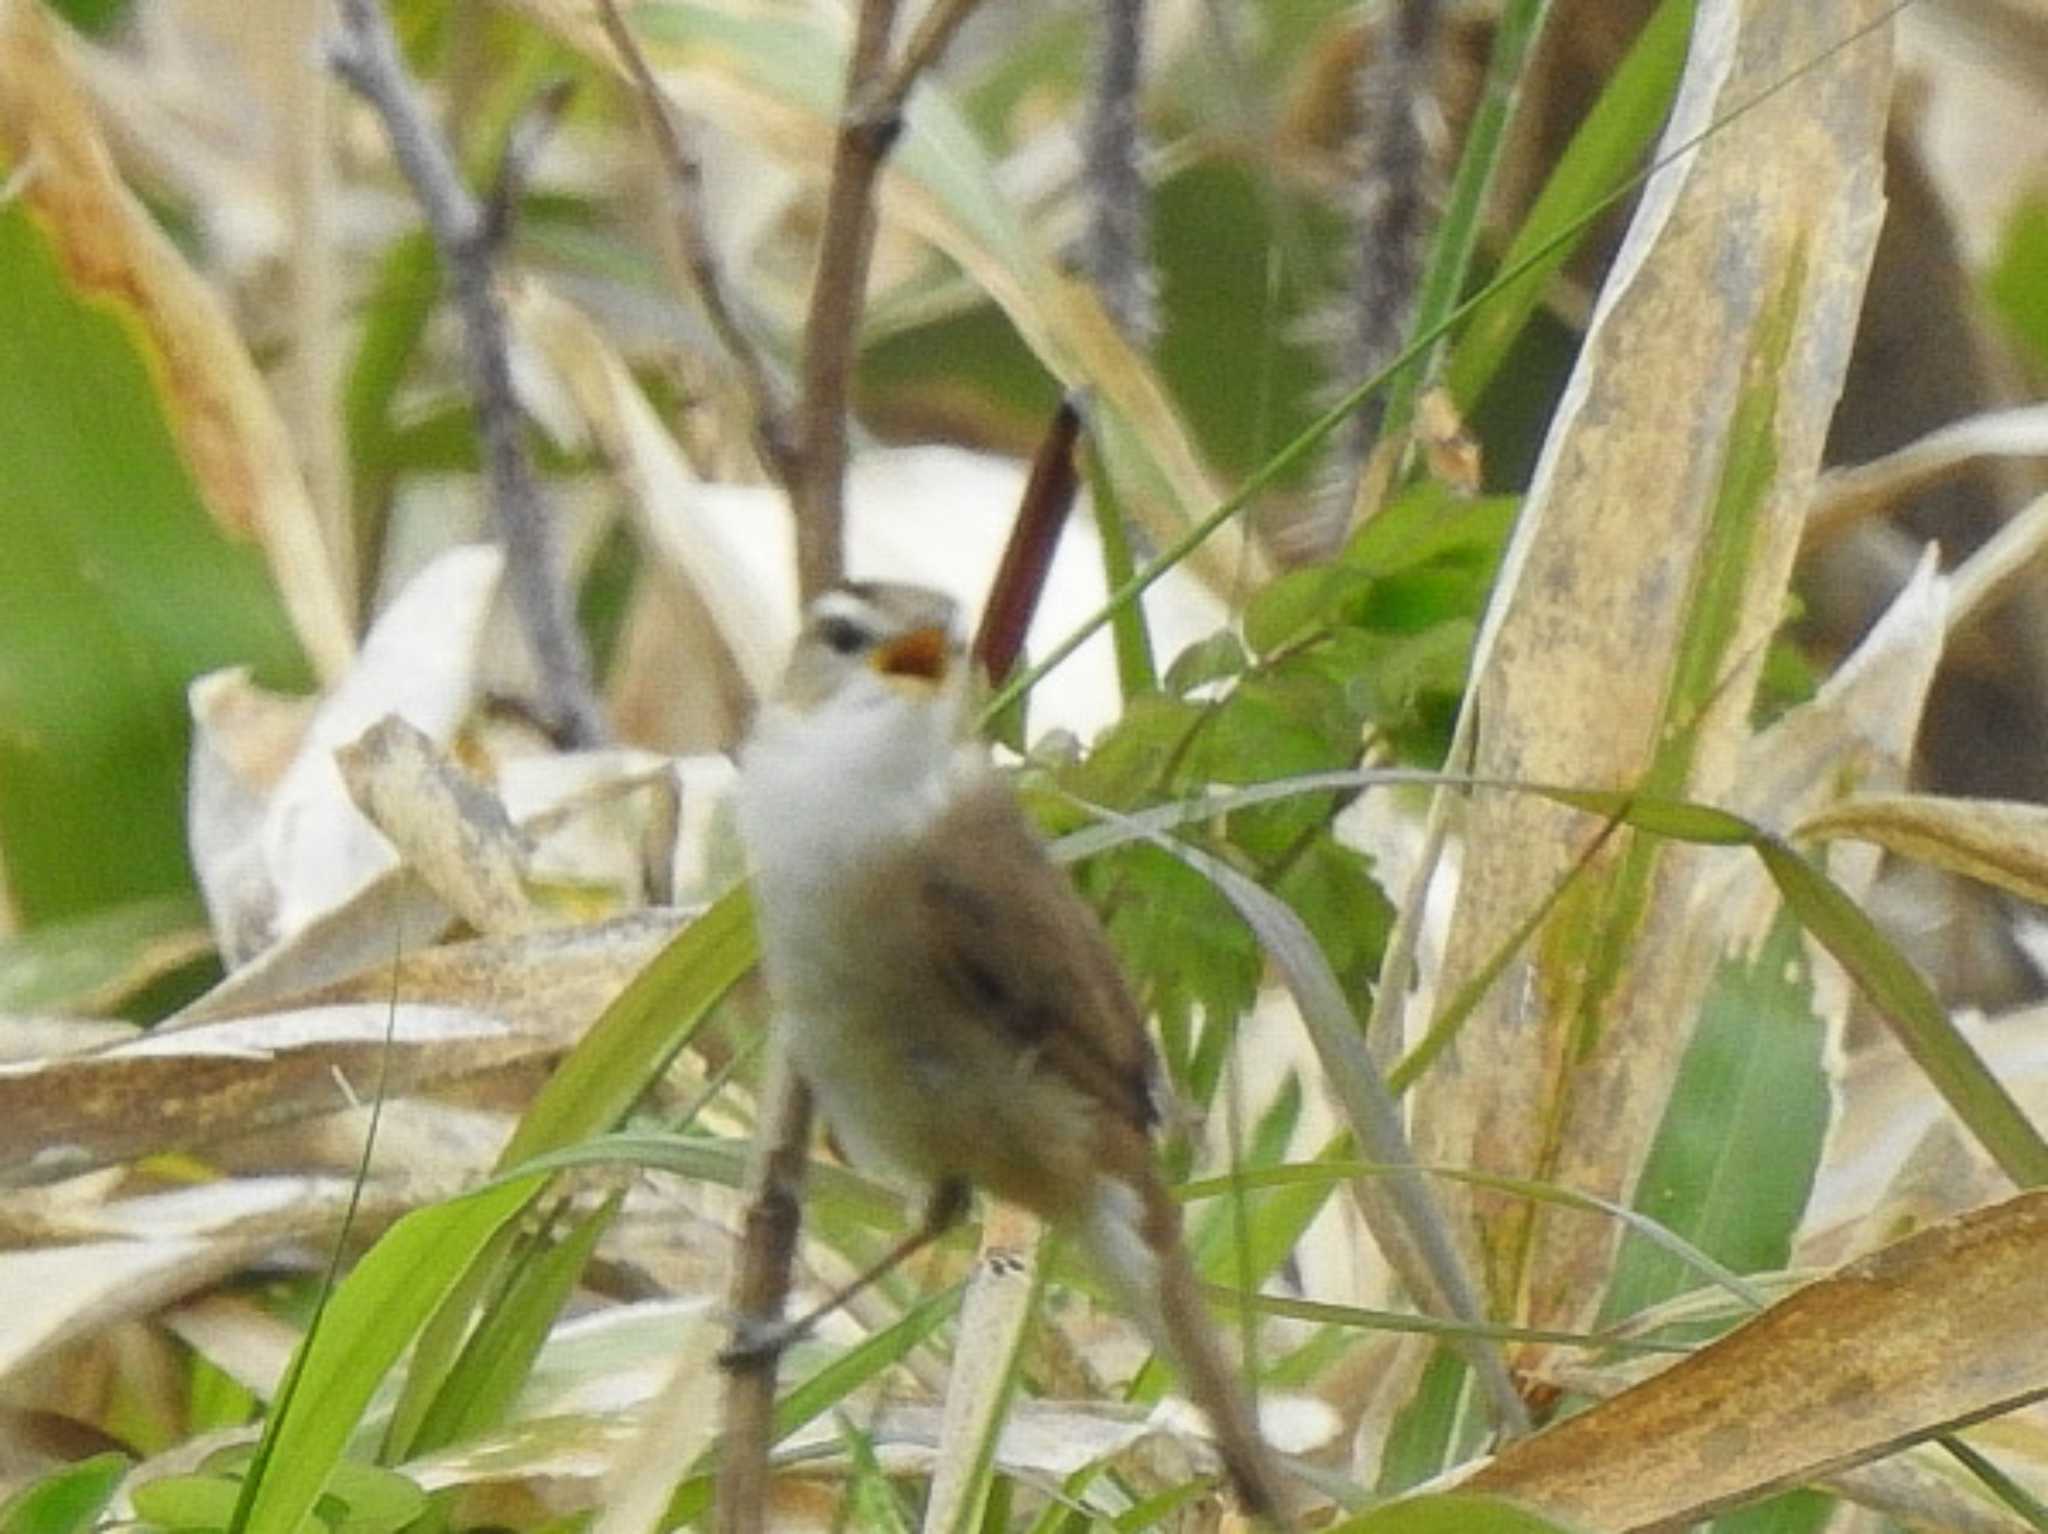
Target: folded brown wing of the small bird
(1027, 955)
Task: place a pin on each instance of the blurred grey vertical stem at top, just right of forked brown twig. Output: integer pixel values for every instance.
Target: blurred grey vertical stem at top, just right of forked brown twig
(1115, 247)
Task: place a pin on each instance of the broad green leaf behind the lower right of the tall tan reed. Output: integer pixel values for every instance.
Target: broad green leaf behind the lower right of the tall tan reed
(1736, 1156)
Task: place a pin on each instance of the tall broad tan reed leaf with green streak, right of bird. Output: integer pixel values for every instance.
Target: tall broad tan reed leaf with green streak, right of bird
(1633, 611)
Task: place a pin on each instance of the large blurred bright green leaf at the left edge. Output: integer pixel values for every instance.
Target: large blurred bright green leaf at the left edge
(120, 589)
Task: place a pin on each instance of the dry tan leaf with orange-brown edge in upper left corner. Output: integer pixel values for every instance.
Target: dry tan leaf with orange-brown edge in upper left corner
(226, 423)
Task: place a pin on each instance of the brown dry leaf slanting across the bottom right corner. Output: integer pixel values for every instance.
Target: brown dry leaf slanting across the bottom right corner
(1916, 1340)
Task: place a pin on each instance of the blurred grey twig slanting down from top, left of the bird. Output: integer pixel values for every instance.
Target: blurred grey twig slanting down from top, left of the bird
(366, 54)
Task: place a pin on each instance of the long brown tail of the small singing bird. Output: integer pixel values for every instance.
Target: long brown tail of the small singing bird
(1134, 1242)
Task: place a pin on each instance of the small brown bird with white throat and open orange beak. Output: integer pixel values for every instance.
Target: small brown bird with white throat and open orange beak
(945, 994)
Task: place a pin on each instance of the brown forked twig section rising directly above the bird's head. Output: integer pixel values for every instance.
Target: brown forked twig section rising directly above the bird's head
(871, 118)
